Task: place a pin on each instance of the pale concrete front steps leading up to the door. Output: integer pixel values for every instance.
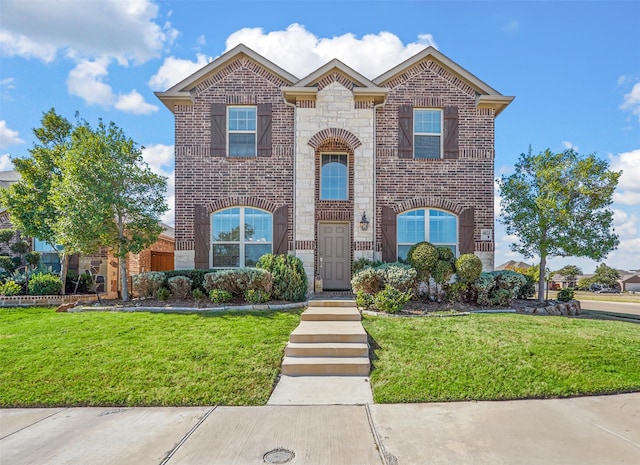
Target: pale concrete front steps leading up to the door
(330, 341)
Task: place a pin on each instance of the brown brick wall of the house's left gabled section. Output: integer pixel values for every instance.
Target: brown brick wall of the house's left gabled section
(203, 179)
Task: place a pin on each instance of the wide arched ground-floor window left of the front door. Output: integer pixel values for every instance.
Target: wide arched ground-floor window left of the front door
(240, 236)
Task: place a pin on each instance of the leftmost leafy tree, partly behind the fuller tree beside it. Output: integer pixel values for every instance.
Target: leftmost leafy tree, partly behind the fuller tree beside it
(30, 201)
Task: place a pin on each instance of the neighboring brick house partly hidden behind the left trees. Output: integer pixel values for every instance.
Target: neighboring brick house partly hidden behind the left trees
(102, 265)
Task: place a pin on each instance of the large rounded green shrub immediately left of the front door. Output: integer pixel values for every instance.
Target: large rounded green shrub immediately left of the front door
(289, 278)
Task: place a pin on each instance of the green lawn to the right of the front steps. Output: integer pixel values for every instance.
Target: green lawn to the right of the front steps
(501, 356)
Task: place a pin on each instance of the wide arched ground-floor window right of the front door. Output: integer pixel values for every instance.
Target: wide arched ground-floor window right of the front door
(425, 224)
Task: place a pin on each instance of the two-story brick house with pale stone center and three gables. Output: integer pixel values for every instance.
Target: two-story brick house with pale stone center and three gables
(334, 166)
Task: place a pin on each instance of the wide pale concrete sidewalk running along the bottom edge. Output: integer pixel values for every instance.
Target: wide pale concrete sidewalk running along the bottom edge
(585, 431)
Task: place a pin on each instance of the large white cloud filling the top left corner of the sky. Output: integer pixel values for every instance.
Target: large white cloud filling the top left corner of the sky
(41, 28)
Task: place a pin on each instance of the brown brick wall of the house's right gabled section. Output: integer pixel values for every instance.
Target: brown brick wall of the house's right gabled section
(452, 185)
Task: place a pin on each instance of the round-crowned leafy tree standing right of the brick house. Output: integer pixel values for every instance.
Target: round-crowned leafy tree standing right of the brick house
(557, 206)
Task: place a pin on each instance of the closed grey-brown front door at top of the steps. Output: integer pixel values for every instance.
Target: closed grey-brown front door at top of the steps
(334, 259)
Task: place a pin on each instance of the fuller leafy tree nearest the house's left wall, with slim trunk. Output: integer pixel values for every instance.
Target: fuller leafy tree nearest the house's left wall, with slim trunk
(109, 193)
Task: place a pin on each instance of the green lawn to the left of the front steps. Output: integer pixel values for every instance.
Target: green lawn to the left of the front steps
(102, 359)
